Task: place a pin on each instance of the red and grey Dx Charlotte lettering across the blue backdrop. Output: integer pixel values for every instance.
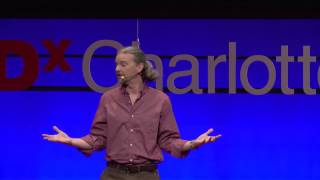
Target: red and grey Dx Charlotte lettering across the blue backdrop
(31, 67)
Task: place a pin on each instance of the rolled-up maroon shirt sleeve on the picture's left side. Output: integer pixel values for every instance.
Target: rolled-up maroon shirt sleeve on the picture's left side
(97, 136)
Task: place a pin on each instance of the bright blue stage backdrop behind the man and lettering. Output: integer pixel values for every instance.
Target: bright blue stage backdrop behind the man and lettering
(269, 136)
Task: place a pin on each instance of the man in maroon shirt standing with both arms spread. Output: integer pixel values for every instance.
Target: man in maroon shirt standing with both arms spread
(134, 123)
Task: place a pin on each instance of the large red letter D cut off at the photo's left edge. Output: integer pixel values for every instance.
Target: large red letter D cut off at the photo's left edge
(31, 64)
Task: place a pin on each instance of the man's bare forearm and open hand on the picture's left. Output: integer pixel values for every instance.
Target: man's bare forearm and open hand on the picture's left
(63, 138)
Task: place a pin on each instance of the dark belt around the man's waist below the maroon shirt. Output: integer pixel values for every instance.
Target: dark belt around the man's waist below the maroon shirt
(131, 168)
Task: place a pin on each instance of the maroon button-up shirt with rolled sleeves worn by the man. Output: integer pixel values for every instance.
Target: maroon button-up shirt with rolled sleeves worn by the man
(135, 133)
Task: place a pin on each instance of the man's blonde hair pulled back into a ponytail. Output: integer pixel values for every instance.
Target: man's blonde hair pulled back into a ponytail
(147, 73)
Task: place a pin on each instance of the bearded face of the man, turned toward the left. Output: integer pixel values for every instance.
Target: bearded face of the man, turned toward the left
(126, 66)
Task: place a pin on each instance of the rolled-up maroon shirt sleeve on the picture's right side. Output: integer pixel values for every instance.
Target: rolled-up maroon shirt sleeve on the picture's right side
(169, 136)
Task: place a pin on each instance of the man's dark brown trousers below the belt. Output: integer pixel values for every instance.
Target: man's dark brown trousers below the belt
(110, 173)
